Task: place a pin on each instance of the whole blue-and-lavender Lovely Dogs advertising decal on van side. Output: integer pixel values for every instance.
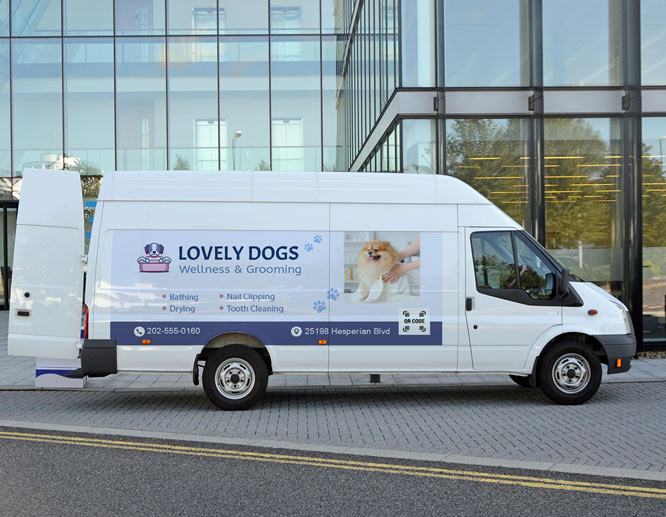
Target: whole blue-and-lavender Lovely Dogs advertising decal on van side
(285, 288)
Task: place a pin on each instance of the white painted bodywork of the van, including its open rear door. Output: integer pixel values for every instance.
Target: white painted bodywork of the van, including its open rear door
(186, 208)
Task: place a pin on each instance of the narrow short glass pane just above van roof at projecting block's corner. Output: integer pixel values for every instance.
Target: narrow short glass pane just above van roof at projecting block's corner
(419, 141)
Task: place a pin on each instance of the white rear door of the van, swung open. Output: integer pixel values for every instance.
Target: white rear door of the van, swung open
(47, 285)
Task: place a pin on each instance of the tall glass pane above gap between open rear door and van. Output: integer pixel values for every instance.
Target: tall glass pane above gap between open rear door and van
(89, 135)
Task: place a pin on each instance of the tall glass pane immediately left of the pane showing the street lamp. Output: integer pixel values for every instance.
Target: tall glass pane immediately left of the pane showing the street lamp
(193, 125)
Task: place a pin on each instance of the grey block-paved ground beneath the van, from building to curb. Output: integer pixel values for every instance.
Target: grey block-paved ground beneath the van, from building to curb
(487, 421)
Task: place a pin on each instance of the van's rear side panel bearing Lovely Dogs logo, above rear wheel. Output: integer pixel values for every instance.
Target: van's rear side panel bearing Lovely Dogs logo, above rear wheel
(162, 313)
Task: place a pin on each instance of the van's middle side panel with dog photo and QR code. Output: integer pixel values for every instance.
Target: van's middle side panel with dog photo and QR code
(373, 334)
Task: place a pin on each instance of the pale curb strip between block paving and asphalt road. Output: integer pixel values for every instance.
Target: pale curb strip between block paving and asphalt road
(353, 451)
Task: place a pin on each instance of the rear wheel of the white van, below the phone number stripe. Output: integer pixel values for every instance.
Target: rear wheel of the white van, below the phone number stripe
(235, 378)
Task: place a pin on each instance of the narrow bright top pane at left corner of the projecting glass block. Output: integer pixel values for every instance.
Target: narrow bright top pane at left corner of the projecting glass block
(418, 43)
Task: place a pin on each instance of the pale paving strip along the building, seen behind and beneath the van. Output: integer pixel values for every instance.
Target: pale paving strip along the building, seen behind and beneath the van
(19, 373)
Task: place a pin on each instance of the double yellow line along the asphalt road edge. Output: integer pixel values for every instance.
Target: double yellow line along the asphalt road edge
(388, 468)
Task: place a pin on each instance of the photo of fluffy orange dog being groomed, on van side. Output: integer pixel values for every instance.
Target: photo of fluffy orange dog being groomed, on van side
(381, 267)
